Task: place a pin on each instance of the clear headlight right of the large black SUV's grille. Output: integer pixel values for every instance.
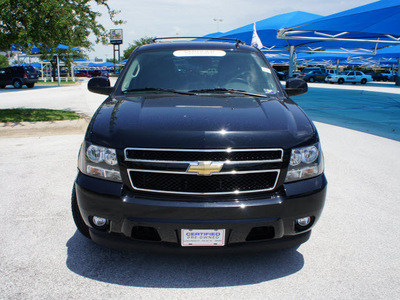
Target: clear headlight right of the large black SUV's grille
(305, 163)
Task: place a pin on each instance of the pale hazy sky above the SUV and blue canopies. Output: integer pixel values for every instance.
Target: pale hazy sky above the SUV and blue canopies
(166, 18)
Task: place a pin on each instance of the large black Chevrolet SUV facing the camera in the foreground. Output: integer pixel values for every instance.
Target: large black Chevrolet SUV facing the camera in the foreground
(198, 147)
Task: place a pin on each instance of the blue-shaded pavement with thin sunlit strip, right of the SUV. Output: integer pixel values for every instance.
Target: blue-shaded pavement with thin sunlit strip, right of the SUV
(374, 108)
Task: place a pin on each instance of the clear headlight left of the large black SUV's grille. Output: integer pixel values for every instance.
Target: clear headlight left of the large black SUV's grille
(100, 162)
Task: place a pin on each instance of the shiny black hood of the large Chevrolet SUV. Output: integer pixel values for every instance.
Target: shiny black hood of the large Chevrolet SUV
(199, 122)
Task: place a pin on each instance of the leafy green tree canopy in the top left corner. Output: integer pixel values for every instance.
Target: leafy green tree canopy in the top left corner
(47, 23)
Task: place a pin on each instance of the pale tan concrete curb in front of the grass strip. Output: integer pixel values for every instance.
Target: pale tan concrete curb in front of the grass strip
(30, 129)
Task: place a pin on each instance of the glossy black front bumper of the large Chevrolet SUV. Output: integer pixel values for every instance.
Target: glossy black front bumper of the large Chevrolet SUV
(271, 216)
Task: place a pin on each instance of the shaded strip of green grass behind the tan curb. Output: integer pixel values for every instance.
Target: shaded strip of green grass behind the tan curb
(35, 115)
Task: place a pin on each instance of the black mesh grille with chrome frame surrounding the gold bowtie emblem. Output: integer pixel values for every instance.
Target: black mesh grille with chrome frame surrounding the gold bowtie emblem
(244, 171)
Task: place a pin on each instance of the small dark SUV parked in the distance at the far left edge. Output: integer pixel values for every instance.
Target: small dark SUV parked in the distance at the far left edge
(18, 76)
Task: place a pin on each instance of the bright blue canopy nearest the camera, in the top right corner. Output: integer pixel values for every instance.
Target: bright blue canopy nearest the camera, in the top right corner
(376, 23)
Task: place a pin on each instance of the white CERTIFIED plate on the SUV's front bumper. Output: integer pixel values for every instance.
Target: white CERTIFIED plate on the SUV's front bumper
(202, 237)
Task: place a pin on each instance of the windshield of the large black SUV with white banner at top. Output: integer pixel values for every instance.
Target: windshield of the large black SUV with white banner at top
(199, 71)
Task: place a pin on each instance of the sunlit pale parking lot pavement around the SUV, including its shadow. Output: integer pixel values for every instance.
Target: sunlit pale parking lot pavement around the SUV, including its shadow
(352, 254)
